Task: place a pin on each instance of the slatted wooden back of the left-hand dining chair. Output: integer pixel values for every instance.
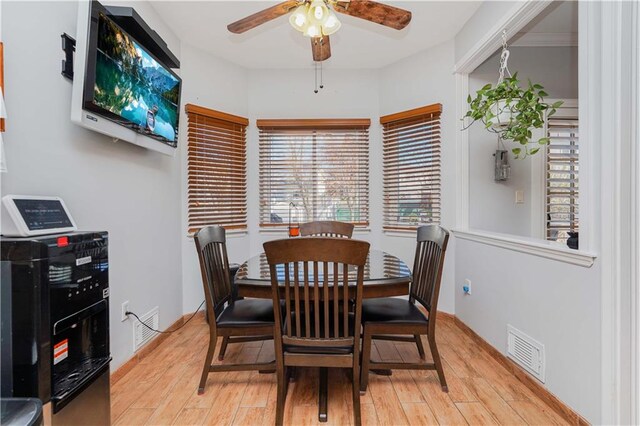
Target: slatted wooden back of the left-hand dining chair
(214, 267)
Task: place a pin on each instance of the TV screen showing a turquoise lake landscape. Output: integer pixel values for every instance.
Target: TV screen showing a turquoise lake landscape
(133, 86)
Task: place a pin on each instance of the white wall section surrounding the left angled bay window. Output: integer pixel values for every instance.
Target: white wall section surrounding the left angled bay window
(216, 84)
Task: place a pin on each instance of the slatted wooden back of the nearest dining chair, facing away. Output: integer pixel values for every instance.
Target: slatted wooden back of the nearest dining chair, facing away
(312, 275)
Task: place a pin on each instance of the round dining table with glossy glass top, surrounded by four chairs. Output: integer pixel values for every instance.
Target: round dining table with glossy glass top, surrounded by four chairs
(385, 275)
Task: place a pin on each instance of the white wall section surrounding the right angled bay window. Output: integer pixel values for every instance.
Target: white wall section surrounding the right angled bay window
(425, 79)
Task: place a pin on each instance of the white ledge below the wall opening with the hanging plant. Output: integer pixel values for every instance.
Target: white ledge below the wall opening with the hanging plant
(546, 249)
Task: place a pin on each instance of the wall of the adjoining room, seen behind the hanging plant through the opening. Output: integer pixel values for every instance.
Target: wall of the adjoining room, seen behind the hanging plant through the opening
(492, 204)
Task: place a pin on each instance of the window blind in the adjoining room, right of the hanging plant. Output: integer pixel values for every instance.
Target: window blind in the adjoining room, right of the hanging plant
(562, 187)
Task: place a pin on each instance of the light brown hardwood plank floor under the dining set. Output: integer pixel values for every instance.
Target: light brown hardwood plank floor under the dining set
(162, 388)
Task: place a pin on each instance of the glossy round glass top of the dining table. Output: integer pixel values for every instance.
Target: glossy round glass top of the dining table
(380, 266)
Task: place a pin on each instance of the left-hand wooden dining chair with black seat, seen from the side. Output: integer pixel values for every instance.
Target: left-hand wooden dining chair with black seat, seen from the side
(235, 320)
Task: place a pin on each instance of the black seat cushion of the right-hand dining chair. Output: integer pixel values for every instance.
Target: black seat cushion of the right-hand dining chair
(391, 310)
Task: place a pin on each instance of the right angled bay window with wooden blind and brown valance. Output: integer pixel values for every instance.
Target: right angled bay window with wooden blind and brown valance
(411, 167)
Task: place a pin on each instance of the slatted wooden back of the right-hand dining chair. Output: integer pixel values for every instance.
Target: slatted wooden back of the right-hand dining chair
(431, 246)
